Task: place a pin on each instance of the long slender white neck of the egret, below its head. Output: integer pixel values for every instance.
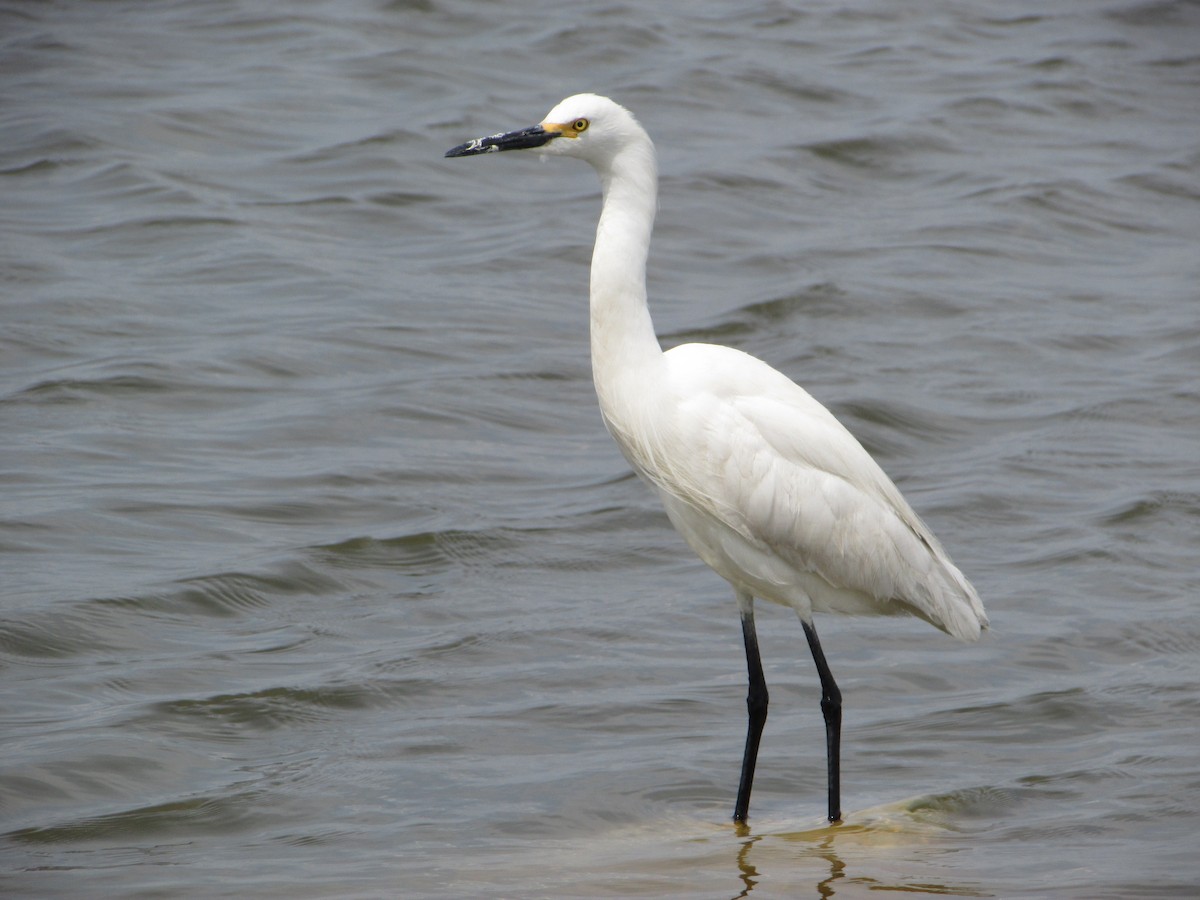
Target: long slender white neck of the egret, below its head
(623, 341)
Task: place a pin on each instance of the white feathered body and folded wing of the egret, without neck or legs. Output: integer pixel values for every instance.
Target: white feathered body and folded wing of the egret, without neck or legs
(741, 443)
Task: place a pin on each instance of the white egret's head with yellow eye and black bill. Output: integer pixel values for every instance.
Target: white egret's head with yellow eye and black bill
(586, 127)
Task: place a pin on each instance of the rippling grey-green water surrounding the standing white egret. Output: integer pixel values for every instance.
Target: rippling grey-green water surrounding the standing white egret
(322, 579)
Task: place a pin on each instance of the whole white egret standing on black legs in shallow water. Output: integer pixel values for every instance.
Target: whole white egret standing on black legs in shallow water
(761, 481)
